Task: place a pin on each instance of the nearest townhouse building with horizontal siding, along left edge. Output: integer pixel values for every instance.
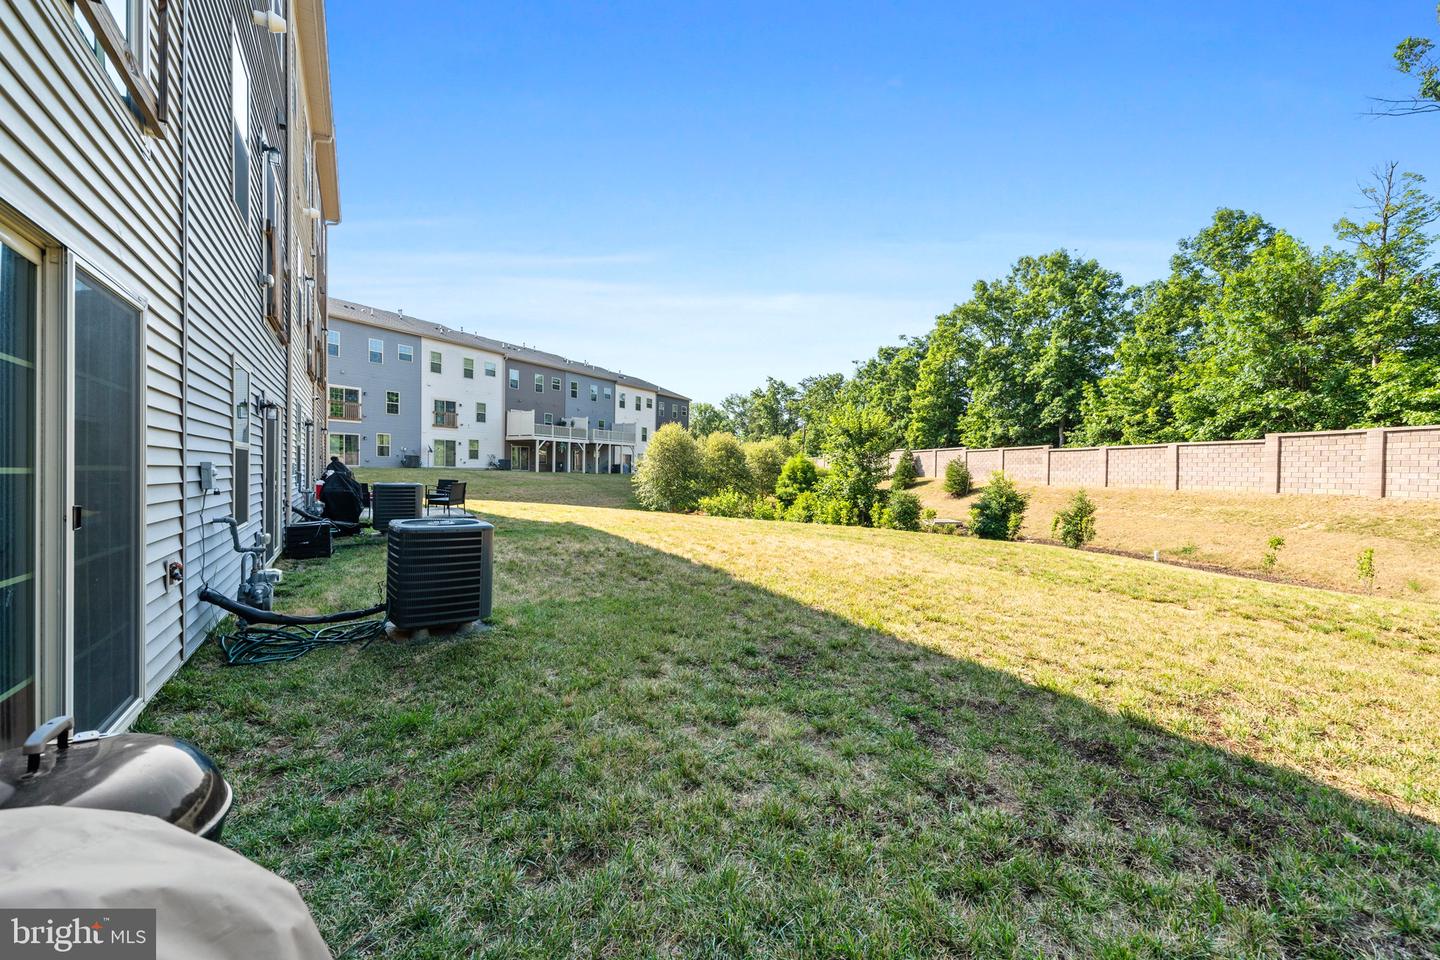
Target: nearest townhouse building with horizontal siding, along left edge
(168, 176)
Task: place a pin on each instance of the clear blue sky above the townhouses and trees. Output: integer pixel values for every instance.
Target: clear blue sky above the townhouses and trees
(706, 194)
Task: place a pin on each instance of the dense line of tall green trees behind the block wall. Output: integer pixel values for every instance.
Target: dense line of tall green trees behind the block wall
(1252, 332)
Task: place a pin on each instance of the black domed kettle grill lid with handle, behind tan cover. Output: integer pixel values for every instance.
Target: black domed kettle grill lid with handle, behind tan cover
(139, 774)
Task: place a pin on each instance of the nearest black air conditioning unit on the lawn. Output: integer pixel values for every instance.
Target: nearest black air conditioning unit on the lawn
(438, 572)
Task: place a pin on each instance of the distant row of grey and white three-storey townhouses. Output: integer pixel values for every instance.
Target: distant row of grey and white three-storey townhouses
(479, 402)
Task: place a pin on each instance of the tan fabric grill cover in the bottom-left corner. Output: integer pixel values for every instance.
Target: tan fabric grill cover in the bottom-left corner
(210, 900)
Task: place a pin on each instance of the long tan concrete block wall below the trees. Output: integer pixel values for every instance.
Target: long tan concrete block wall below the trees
(1402, 463)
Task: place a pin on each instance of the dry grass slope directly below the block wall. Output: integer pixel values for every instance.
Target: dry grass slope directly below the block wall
(1324, 535)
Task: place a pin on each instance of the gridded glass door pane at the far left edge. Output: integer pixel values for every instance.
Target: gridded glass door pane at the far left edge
(19, 277)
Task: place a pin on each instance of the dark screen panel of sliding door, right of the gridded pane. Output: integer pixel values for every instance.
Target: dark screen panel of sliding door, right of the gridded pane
(107, 551)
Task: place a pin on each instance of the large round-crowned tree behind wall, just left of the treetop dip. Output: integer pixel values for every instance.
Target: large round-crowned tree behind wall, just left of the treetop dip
(1046, 332)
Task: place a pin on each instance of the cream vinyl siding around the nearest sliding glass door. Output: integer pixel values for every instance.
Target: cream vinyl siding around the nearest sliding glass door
(76, 165)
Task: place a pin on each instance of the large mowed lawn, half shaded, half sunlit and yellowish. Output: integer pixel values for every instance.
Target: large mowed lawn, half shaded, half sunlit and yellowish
(692, 736)
